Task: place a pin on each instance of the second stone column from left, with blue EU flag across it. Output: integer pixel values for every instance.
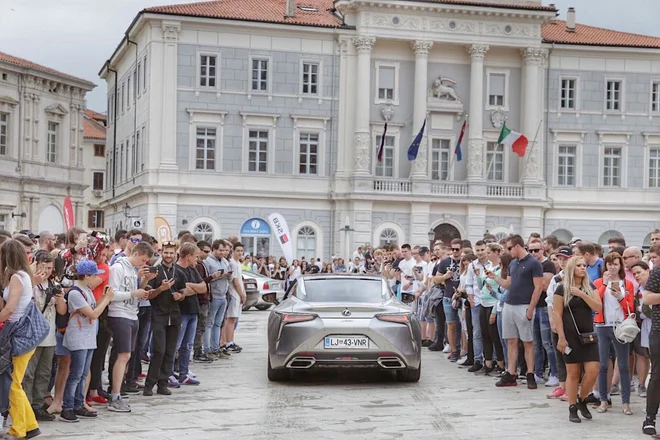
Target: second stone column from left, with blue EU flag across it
(421, 49)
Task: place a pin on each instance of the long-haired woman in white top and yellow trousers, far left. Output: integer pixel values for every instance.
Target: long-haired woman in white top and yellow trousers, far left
(16, 276)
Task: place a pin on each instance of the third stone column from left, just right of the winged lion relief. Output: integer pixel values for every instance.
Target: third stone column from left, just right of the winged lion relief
(475, 175)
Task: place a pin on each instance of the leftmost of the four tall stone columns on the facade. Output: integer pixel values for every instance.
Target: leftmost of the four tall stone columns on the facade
(364, 44)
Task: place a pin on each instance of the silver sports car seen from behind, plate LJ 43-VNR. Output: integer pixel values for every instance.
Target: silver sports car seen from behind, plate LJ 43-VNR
(339, 320)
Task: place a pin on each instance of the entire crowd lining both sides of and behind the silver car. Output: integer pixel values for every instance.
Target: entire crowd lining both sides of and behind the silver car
(584, 322)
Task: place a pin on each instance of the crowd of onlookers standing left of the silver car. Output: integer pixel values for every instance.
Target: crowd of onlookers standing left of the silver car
(65, 299)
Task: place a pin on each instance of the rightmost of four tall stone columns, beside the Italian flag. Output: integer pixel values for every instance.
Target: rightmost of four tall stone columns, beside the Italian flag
(533, 58)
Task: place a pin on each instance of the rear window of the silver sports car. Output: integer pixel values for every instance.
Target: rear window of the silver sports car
(343, 290)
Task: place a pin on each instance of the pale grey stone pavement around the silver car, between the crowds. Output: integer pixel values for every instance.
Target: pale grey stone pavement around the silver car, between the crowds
(236, 401)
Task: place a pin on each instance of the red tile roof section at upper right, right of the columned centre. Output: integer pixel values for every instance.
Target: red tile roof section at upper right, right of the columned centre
(592, 36)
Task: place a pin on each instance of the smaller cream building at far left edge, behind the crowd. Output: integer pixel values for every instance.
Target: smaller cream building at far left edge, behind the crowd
(41, 145)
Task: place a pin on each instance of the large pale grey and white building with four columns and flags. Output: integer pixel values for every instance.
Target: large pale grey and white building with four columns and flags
(221, 122)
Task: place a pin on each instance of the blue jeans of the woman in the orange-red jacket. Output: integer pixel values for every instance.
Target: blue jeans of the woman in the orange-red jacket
(605, 340)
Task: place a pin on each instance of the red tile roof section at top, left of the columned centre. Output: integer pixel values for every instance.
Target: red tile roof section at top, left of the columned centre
(271, 11)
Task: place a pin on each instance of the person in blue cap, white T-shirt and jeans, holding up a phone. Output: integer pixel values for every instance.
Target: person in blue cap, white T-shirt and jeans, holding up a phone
(80, 338)
